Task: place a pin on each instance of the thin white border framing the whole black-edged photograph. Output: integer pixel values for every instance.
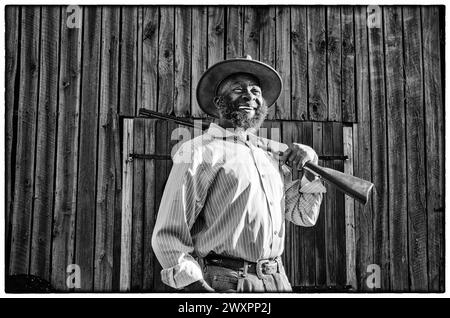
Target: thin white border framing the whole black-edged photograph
(179, 295)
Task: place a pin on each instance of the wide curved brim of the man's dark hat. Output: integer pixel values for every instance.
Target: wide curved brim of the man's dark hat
(269, 80)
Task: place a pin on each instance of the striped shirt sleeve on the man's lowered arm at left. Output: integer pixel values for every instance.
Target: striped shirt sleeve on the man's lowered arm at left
(181, 203)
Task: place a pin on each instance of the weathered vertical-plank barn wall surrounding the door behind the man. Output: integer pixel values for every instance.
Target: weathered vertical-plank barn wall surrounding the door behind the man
(68, 89)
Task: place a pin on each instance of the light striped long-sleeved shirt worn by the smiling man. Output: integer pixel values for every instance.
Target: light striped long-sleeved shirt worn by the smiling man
(224, 194)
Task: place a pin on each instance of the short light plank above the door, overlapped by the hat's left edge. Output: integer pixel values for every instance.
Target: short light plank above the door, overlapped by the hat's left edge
(199, 54)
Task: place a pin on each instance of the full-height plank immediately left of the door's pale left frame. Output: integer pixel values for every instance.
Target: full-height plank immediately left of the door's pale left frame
(106, 167)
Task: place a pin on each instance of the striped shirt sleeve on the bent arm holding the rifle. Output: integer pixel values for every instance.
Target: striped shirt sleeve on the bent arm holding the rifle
(302, 201)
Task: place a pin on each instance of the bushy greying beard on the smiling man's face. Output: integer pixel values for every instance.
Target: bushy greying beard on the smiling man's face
(240, 118)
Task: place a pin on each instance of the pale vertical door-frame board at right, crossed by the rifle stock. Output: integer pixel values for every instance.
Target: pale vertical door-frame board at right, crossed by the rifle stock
(350, 246)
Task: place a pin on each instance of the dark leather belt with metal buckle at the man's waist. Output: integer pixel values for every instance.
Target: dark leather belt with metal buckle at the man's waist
(264, 266)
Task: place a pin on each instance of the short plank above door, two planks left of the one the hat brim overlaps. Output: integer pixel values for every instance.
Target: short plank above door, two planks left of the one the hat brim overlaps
(165, 60)
